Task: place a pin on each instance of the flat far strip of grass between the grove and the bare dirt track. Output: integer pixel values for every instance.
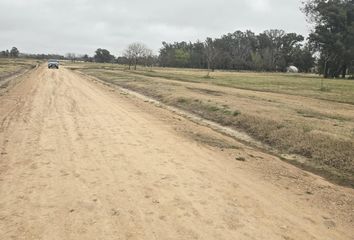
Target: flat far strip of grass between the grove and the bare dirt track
(309, 85)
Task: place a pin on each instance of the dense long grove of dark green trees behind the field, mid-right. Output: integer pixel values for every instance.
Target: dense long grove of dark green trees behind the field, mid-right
(272, 50)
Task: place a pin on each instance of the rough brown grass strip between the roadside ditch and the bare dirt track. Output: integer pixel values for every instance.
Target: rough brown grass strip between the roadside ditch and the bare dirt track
(325, 155)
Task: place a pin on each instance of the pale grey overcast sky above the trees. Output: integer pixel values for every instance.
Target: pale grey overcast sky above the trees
(82, 26)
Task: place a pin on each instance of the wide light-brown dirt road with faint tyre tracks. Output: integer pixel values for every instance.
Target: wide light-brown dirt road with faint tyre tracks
(80, 160)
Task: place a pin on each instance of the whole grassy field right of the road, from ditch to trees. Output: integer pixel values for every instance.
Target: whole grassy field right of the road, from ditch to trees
(294, 114)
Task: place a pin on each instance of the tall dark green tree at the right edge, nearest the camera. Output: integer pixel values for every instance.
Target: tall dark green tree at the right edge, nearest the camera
(333, 34)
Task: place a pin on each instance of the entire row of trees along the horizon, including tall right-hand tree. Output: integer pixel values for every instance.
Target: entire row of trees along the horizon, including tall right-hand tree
(329, 49)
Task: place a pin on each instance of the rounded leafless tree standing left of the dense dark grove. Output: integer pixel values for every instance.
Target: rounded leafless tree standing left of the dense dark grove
(136, 52)
